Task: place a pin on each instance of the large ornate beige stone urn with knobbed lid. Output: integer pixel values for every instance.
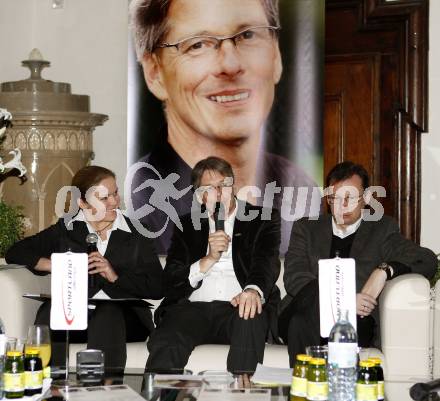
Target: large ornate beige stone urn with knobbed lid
(53, 129)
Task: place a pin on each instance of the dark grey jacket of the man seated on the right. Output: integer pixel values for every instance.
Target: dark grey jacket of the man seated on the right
(375, 242)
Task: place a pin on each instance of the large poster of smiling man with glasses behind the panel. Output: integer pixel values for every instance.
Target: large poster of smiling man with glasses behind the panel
(231, 79)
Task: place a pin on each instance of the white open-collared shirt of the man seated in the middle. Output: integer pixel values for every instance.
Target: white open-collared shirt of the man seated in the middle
(219, 282)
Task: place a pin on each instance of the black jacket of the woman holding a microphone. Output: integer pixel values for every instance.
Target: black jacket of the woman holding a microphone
(131, 255)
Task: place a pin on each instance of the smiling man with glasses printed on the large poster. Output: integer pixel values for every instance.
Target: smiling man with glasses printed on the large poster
(214, 65)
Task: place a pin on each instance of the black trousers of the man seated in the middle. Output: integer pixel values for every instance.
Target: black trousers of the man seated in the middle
(183, 326)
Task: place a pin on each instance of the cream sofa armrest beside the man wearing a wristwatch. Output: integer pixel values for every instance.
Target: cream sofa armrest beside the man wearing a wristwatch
(406, 327)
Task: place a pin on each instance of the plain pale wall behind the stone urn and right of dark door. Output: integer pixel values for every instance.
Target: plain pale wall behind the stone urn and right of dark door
(86, 42)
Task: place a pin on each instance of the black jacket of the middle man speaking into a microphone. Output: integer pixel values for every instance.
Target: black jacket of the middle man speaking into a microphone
(255, 255)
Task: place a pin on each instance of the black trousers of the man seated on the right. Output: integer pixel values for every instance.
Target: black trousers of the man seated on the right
(299, 325)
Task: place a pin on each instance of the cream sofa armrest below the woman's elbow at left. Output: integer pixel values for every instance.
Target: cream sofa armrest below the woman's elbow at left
(17, 312)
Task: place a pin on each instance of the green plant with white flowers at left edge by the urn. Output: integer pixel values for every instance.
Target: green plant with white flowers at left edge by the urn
(11, 218)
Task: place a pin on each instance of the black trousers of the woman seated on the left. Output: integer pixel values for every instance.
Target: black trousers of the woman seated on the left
(110, 327)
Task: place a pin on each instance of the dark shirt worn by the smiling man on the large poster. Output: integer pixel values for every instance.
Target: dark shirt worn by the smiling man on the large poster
(270, 168)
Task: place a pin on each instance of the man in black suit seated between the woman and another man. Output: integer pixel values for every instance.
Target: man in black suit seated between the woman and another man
(219, 282)
